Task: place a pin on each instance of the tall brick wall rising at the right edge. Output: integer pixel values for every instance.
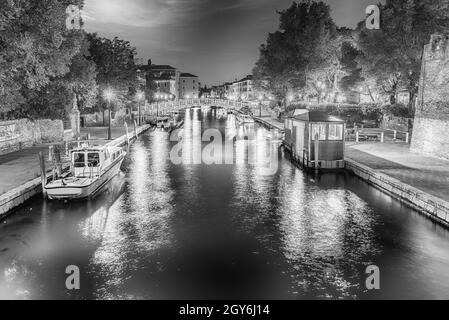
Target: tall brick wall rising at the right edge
(431, 127)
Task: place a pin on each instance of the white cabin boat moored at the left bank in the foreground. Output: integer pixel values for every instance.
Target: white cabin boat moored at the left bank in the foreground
(91, 168)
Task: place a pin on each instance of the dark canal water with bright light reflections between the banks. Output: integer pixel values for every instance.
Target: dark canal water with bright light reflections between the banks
(173, 227)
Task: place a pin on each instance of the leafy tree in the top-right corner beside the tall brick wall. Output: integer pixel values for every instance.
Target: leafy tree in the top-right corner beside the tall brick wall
(392, 55)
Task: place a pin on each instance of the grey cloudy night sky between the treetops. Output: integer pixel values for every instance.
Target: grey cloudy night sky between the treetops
(217, 40)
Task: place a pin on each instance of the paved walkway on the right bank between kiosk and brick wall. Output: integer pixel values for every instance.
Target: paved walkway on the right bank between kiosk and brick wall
(428, 174)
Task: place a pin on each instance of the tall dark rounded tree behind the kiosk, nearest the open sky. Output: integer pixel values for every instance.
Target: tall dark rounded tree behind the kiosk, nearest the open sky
(301, 53)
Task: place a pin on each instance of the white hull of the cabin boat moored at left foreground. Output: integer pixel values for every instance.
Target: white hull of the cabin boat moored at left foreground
(82, 189)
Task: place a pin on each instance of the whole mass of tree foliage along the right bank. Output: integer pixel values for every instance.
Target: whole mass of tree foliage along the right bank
(309, 50)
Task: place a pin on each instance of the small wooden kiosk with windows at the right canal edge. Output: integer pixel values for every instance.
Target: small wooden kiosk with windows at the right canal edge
(316, 139)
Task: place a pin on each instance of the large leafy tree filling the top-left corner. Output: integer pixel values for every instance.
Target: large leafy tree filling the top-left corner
(35, 49)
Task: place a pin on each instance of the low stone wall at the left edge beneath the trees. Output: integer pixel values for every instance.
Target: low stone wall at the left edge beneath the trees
(23, 133)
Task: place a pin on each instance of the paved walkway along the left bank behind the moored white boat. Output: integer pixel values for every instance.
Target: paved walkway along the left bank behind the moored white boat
(19, 167)
